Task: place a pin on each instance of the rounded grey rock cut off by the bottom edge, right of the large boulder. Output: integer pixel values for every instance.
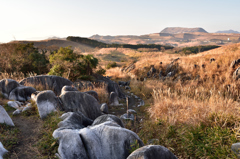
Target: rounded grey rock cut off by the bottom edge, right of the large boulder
(152, 152)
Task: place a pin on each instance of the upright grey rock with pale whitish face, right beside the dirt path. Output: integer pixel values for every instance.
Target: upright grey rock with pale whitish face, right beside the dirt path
(47, 103)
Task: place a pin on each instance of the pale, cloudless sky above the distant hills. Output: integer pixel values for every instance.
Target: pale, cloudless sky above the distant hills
(40, 19)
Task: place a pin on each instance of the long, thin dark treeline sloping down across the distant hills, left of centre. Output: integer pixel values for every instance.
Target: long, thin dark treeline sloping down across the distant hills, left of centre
(95, 43)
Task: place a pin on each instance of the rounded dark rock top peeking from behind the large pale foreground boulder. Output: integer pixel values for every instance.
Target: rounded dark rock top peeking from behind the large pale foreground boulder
(107, 117)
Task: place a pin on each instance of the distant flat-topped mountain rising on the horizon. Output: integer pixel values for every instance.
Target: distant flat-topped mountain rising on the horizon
(176, 30)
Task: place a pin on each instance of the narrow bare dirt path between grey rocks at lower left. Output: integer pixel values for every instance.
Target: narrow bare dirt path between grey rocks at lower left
(30, 128)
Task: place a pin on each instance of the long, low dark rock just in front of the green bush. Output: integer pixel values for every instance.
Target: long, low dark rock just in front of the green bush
(54, 83)
